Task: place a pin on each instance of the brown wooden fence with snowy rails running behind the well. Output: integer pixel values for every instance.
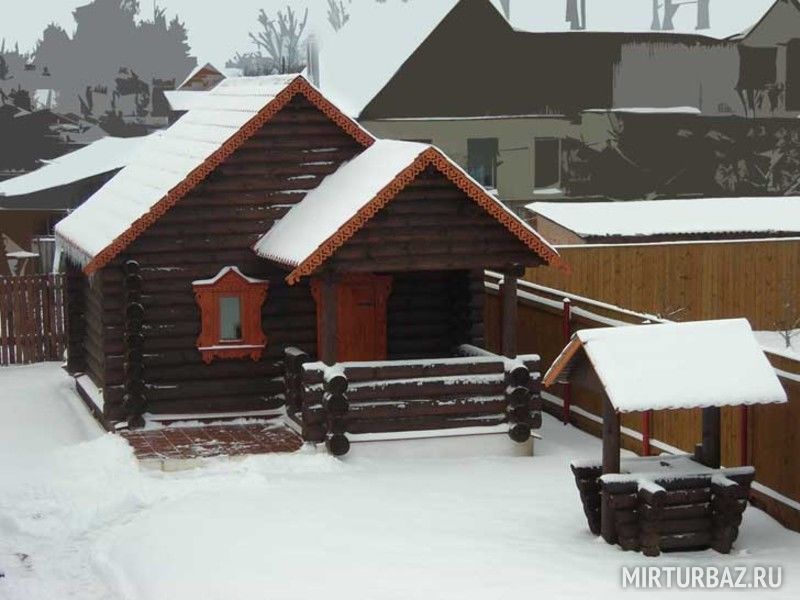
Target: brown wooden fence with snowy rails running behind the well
(766, 437)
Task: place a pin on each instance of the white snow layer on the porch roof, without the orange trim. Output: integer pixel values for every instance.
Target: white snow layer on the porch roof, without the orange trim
(350, 189)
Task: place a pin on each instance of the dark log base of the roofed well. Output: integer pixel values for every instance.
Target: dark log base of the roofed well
(664, 503)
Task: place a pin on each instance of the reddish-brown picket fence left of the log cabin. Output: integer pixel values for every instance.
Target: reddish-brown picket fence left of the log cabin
(32, 319)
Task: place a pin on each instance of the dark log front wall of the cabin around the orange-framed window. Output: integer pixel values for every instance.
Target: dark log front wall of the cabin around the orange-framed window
(213, 227)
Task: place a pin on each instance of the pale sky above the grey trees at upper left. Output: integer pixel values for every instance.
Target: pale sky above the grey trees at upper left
(215, 36)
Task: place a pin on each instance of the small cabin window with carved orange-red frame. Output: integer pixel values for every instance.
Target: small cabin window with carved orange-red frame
(230, 312)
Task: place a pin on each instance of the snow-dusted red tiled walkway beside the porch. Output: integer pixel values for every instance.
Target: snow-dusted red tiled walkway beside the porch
(211, 440)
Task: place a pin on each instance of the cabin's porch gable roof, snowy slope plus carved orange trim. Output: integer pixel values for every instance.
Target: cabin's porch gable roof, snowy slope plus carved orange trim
(347, 199)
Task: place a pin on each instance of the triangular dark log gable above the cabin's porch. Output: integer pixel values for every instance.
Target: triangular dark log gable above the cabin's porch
(431, 225)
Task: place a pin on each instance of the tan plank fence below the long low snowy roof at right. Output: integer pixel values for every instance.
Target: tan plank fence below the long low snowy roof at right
(692, 281)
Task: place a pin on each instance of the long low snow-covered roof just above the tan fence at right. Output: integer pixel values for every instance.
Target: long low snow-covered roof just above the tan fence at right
(761, 216)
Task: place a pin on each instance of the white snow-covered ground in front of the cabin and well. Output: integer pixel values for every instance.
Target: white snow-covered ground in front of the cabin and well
(80, 519)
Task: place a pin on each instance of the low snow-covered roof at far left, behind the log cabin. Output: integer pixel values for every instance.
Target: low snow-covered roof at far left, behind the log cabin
(103, 156)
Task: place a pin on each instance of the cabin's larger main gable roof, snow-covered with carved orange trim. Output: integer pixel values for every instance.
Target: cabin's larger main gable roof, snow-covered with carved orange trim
(170, 165)
